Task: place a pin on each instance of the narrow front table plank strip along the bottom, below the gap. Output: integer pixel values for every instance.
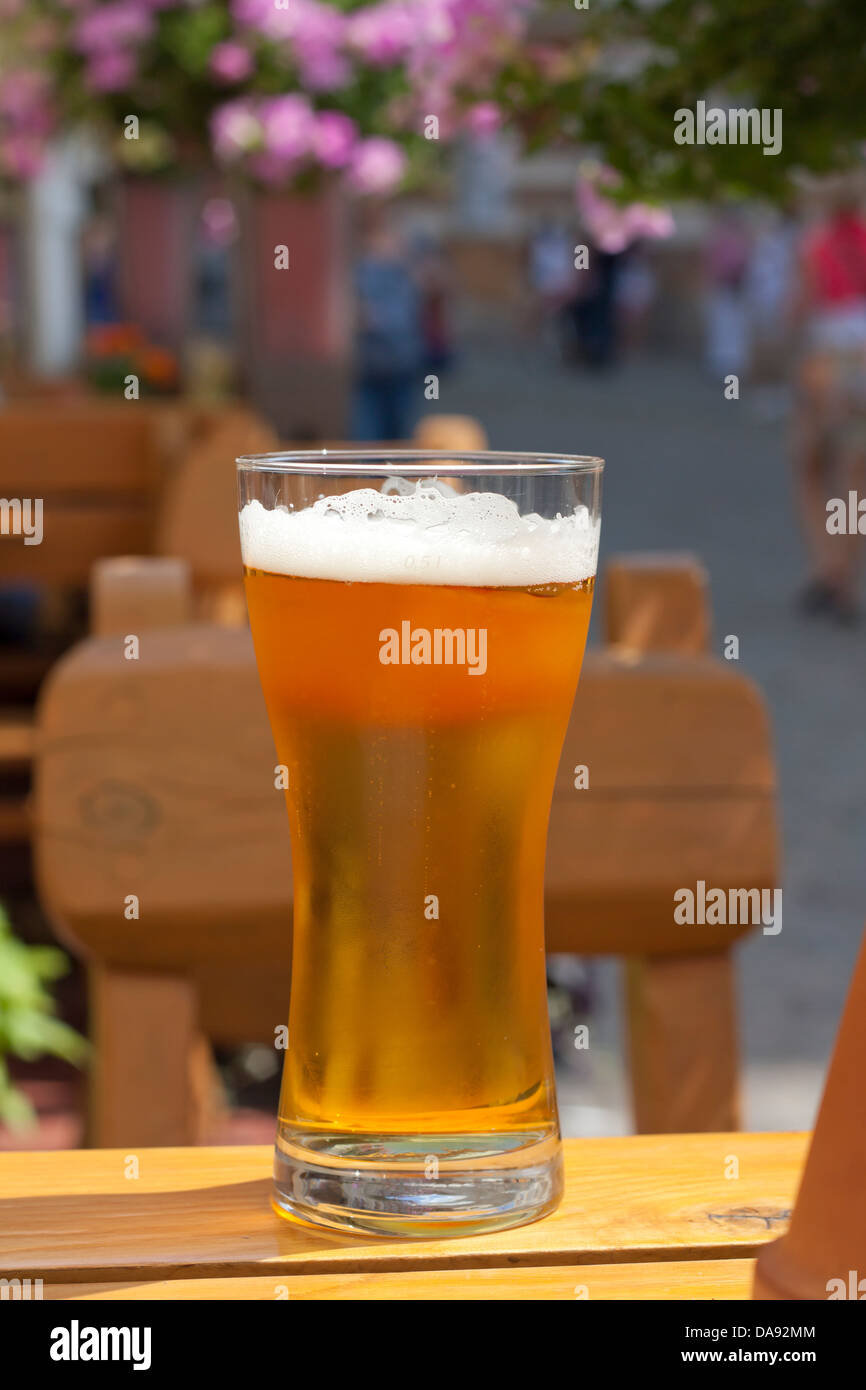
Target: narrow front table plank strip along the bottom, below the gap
(662, 1279)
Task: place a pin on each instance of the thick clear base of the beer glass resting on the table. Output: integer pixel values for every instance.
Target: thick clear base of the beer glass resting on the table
(419, 1186)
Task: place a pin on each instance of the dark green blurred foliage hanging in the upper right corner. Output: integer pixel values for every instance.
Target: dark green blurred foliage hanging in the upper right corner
(628, 67)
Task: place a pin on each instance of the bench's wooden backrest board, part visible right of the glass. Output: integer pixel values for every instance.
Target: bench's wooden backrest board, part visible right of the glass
(682, 789)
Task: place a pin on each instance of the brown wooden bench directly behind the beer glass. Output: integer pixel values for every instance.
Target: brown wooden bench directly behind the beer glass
(155, 778)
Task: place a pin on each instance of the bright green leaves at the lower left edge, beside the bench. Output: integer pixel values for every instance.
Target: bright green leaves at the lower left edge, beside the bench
(28, 1027)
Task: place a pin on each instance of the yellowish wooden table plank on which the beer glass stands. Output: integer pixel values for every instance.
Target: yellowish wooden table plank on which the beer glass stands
(197, 1213)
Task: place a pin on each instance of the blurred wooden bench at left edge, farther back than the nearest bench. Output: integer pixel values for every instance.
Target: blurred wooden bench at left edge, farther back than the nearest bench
(102, 471)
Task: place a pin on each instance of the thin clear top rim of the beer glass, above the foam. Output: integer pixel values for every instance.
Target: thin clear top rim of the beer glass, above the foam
(418, 464)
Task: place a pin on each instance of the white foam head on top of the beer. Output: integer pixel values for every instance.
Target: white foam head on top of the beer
(423, 533)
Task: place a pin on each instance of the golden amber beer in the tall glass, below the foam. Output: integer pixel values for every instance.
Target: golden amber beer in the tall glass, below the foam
(422, 726)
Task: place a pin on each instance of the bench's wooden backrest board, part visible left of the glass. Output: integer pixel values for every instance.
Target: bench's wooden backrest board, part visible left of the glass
(163, 786)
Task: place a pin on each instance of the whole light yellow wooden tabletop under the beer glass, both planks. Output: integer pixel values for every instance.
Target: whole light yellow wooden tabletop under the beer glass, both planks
(648, 1217)
